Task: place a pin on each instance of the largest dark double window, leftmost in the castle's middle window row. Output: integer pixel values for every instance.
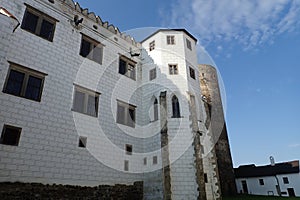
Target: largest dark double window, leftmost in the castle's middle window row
(24, 82)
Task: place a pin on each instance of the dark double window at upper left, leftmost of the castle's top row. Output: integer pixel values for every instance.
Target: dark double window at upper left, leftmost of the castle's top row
(38, 23)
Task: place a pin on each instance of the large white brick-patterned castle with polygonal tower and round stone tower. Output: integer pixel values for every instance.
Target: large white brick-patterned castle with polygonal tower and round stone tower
(84, 104)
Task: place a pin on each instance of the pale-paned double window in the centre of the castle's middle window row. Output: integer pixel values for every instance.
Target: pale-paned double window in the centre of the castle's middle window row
(85, 101)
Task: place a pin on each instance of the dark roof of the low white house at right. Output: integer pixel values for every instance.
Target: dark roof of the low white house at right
(245, 171)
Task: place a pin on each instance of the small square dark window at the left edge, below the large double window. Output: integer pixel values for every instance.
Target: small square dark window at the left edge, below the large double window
(10, 135)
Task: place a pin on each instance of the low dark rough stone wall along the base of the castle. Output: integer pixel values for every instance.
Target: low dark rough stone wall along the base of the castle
(40, 191)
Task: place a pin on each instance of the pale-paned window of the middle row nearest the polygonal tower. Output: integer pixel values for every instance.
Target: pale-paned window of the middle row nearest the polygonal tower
(126, 114)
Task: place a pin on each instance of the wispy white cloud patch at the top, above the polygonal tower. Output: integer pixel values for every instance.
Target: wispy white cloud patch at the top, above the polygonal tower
(249, 22)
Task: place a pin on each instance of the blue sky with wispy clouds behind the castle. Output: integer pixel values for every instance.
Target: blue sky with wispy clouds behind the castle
(256, 47)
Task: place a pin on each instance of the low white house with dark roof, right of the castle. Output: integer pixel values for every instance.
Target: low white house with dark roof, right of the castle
(281, 179)
